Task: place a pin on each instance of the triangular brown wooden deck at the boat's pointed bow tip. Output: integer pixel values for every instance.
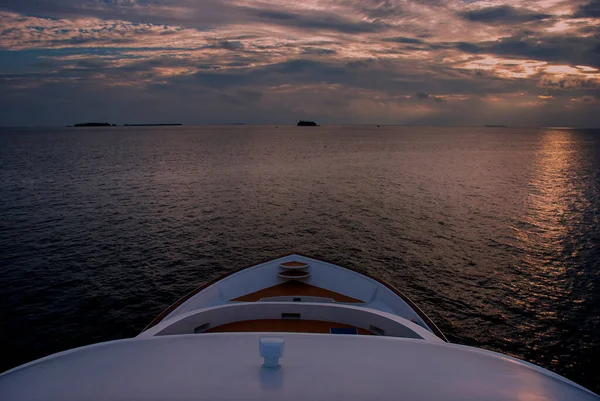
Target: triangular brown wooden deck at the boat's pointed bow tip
(295, 288)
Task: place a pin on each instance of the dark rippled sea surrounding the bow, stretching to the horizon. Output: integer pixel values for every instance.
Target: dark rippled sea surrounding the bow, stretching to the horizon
(493, 232)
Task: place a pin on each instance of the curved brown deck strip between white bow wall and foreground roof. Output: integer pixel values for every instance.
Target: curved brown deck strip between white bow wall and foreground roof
(283, 326)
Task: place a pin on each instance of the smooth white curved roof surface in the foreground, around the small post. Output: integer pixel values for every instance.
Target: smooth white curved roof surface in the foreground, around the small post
(323, 367)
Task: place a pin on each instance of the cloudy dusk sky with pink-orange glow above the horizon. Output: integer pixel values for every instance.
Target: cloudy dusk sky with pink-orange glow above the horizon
(431, 62)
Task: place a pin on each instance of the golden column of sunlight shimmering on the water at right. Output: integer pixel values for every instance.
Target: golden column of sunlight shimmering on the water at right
(544, 285)
